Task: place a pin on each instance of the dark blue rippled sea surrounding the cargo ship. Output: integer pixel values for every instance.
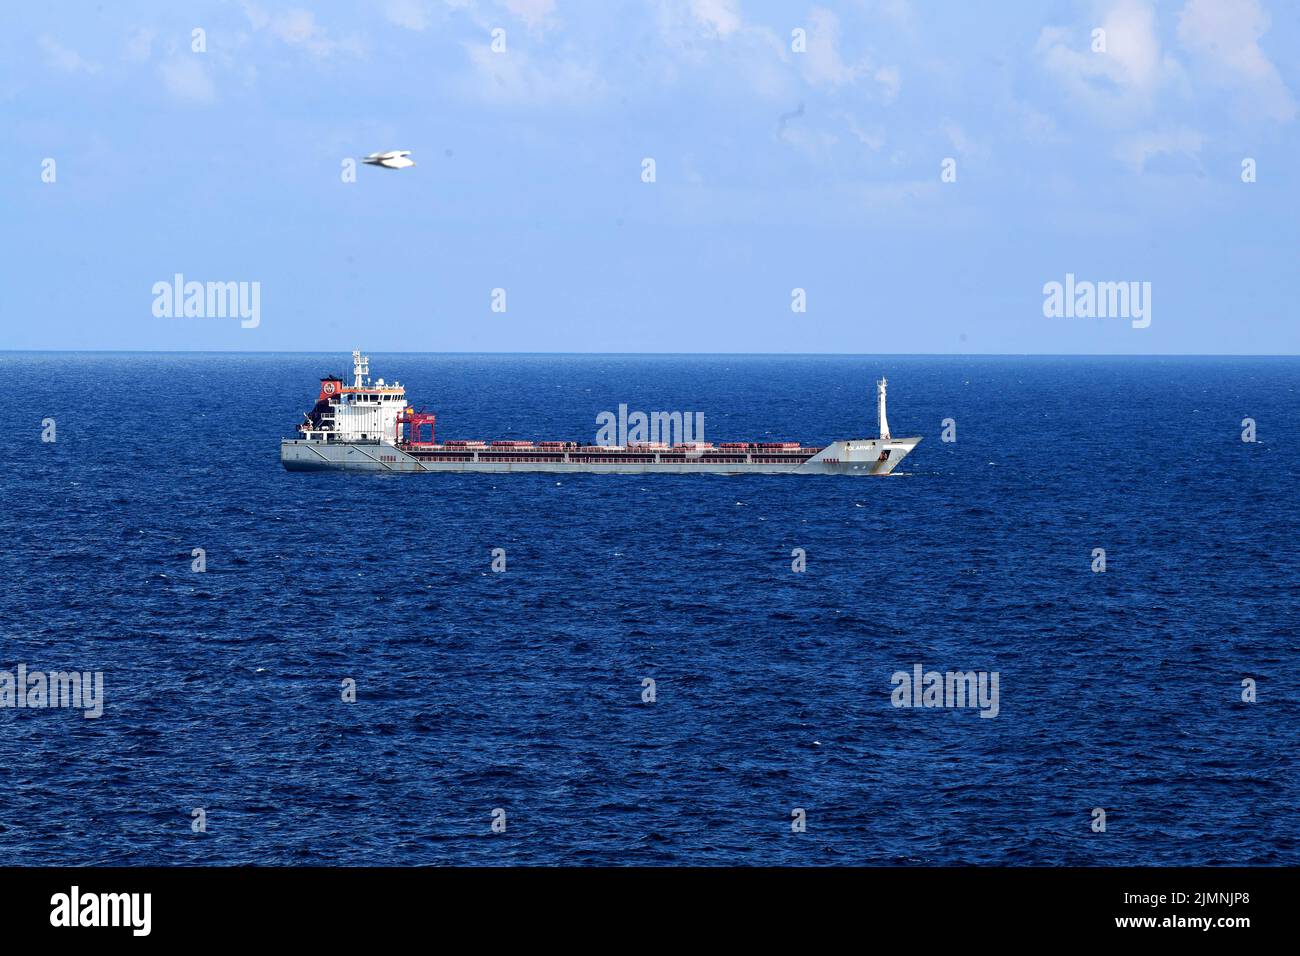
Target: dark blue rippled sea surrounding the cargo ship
(523, 691)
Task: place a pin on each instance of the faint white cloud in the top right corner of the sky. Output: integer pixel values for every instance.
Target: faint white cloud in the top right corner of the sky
(1224, 40)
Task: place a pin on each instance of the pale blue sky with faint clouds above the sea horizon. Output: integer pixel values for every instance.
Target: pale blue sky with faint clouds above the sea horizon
(775, 170)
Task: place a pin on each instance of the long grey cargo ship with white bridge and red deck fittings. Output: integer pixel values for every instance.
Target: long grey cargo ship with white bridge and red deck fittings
(371, 427)
